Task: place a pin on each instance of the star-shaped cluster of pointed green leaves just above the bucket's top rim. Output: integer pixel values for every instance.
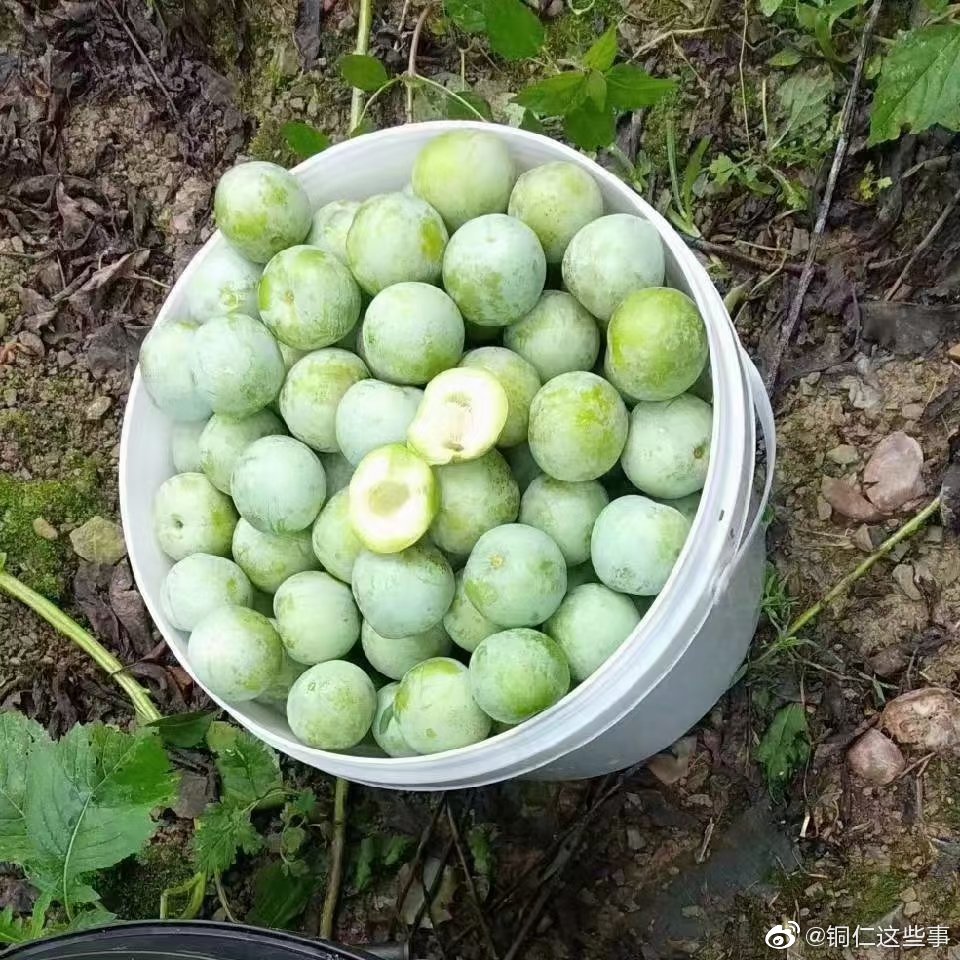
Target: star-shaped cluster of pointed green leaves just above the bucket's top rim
(589, 100)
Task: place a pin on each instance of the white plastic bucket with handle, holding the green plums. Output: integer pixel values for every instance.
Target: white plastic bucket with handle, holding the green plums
(685, 650)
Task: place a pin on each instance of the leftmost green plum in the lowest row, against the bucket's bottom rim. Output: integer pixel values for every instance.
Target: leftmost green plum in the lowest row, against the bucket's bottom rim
(332, 705)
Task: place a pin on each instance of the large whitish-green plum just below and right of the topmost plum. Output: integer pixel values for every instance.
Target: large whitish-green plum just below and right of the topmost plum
(494, 269)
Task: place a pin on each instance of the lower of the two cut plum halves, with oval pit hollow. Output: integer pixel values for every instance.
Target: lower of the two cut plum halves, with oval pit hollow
(393, 499)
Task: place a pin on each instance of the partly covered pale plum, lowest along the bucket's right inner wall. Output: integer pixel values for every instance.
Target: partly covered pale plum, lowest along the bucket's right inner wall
(590, 624)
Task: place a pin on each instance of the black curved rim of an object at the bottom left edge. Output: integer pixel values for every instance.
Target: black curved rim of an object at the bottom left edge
(197, 940)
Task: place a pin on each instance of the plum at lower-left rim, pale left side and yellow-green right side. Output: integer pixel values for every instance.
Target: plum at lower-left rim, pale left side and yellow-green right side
(235, 653)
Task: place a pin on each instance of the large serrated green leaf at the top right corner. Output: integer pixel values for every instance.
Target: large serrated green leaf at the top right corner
(919, 84)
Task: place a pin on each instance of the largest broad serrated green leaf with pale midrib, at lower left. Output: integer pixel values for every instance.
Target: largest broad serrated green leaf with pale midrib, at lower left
(90, 799)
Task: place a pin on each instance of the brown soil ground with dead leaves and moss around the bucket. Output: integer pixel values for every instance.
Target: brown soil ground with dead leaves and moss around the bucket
(115, 119)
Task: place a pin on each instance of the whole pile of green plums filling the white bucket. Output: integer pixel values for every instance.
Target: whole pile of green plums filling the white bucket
(436, 451)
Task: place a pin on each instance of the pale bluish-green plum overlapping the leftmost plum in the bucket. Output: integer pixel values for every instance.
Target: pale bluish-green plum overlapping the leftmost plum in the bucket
(237, 365)
